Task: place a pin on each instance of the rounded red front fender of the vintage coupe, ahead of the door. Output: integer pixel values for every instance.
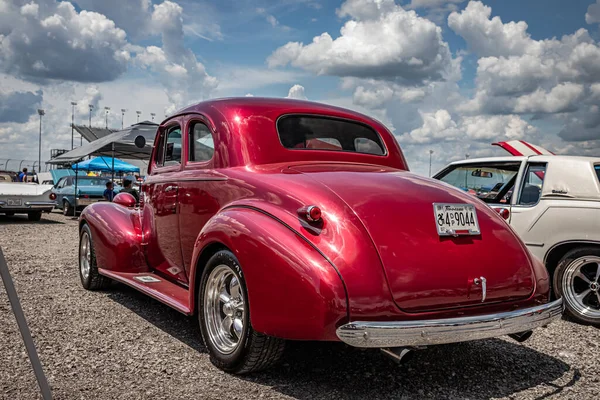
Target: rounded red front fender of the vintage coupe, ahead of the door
(117, 237)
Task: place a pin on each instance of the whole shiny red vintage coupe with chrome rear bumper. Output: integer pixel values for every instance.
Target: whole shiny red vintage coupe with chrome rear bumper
(273, 220)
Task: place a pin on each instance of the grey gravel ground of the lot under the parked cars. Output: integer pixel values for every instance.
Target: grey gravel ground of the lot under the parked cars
(120, 344)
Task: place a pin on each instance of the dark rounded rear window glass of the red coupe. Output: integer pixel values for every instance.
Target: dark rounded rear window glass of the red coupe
(320, 133)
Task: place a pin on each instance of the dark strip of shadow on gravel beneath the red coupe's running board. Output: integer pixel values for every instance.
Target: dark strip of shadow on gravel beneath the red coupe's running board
(163, 317)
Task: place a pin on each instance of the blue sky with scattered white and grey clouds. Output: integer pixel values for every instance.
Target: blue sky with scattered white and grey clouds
(451, 76)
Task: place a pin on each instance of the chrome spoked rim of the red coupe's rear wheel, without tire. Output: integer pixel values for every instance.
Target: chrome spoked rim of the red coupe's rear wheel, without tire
(224, 309)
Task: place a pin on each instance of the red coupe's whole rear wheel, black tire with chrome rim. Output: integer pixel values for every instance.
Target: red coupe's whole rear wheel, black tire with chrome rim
(224, 317)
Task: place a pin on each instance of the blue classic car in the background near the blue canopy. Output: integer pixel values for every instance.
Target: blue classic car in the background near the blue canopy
(90, 189)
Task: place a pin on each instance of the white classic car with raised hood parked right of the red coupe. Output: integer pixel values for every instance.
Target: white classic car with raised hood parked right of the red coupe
(553, 203)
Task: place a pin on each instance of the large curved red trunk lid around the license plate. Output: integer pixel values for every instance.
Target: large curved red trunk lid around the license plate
(426, 272)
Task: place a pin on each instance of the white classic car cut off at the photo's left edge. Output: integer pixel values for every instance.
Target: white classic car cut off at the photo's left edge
(26, 198)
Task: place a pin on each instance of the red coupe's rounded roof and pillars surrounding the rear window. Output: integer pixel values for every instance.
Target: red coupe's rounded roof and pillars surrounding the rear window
(246, 129)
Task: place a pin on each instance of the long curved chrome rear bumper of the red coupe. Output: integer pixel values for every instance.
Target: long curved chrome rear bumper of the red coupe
(449, 330)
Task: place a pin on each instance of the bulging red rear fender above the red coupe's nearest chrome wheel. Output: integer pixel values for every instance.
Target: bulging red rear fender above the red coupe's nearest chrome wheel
(293, 291)
